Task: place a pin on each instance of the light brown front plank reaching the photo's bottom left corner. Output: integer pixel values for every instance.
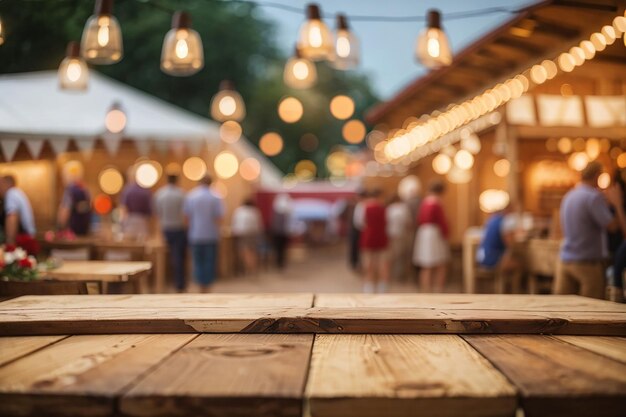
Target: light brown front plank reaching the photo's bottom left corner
(81, 375)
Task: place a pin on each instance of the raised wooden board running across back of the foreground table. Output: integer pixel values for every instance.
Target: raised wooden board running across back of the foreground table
(292, 314)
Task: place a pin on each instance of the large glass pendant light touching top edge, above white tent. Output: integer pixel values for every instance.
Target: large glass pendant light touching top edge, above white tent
(102, 37)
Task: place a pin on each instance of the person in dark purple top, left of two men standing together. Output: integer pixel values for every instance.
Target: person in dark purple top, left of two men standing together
(136, 209)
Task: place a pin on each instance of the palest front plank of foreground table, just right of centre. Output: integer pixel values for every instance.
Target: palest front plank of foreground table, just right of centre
(417, 375)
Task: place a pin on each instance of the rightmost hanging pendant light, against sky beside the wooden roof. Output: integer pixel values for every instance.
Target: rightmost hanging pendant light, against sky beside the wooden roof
(433, 48)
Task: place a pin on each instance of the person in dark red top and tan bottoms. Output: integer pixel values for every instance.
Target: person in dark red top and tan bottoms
(374, 243)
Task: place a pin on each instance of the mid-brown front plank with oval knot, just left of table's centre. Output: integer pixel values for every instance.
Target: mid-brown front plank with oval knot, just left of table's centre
(226, 375)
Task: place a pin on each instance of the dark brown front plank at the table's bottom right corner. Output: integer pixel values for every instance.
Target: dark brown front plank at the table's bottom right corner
(557, 378)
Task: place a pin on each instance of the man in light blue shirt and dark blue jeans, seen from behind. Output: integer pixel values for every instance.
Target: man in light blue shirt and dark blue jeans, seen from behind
(204, 211)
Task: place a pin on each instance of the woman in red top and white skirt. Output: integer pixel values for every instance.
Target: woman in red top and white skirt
(431, 251)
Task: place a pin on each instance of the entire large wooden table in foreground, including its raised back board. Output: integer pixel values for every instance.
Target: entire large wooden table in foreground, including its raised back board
(372, 371)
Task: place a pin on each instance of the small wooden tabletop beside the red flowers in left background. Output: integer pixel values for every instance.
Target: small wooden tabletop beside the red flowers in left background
(99, 270)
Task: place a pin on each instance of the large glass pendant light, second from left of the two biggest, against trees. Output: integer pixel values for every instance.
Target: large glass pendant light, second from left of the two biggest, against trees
(182, 53)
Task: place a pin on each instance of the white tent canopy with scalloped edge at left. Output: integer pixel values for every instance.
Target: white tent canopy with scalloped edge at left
(33, 108)
